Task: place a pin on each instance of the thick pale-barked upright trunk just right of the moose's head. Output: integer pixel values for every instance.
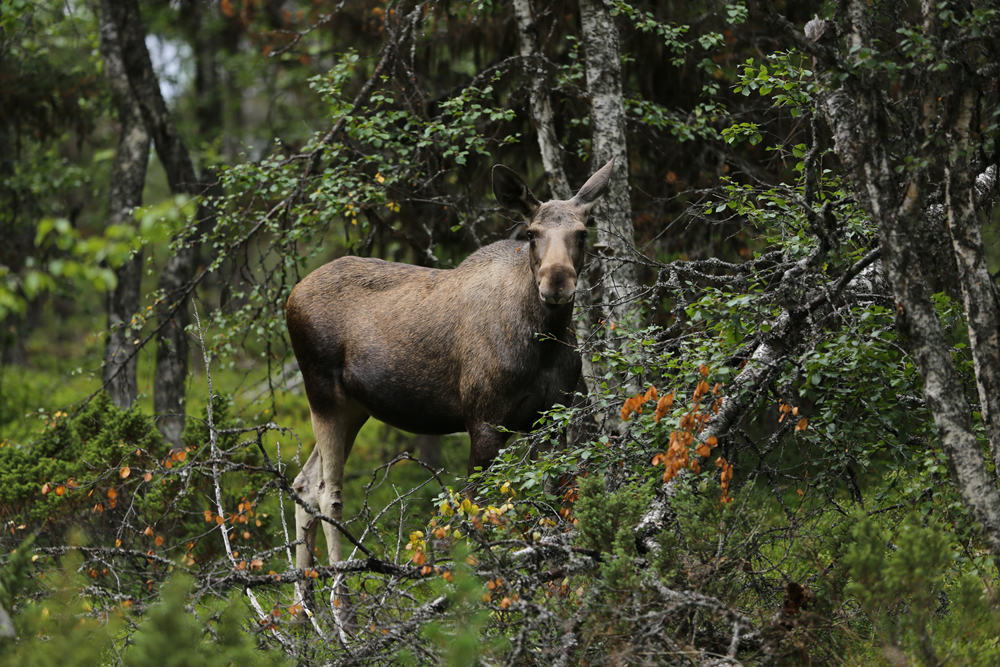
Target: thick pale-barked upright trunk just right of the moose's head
(616, 232)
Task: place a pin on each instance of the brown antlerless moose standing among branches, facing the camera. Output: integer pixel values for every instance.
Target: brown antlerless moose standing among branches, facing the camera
(489, 343)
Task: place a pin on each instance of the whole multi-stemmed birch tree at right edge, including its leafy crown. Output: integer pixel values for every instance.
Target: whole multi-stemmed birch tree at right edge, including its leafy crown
(906, 101)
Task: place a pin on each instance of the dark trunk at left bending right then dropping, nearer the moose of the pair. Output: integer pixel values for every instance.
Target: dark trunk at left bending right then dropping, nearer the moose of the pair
(172, 343)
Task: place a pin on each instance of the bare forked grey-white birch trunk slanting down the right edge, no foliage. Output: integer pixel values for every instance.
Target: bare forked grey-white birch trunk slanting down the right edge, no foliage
(857, 118)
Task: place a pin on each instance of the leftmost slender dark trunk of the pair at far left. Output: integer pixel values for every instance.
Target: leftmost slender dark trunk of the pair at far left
(128, 176)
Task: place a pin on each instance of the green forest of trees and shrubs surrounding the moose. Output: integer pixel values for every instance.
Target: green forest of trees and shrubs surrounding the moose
(789, 322)
